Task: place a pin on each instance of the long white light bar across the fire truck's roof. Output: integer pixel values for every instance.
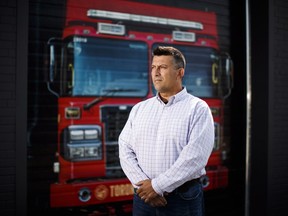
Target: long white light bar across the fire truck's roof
(141, 18)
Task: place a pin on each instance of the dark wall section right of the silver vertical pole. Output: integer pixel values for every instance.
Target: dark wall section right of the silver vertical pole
(269, 145)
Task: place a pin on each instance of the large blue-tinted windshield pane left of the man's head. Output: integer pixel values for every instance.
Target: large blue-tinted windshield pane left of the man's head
(104, 67)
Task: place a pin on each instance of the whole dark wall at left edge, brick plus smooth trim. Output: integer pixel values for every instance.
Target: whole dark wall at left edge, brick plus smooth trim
(13, 70)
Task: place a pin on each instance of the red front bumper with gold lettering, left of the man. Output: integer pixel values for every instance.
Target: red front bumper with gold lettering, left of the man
(90, 193)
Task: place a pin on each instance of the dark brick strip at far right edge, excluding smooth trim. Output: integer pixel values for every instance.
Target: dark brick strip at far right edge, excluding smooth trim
(278, 146)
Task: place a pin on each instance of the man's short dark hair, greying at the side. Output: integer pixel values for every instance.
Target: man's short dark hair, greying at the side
(171, 51)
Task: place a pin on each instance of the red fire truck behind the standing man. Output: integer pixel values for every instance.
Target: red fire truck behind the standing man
(100, 68)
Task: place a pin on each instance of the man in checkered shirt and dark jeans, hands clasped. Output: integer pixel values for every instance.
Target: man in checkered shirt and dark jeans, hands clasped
(166, 142)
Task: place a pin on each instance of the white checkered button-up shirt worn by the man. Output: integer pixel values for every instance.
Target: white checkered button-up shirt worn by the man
(167, 143)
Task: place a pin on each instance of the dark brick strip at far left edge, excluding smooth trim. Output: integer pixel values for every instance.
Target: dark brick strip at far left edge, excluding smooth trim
(8, 16)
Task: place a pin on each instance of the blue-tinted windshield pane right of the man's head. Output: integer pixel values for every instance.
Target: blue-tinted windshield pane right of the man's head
(201, 74)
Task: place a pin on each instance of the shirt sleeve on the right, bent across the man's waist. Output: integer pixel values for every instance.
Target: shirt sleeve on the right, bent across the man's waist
(194, 156)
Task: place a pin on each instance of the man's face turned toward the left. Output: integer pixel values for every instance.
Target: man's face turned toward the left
(165, 75)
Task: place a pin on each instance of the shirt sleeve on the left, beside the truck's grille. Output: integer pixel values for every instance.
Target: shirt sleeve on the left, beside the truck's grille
(128, 159)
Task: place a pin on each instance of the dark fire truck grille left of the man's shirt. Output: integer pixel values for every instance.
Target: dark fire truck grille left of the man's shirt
(114, 119)
